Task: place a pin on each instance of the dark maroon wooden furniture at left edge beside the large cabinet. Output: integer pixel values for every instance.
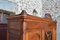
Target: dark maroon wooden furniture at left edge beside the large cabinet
(3, 31)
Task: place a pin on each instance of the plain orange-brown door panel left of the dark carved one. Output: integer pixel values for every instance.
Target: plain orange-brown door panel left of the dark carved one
(32, 36)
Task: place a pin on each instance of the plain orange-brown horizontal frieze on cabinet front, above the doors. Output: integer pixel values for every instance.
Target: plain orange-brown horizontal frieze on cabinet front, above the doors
(36, 25)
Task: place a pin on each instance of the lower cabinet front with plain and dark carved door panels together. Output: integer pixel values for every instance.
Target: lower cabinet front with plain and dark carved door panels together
(41, 35)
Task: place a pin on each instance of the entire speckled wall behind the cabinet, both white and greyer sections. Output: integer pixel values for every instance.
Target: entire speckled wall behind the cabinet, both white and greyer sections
(42, 6)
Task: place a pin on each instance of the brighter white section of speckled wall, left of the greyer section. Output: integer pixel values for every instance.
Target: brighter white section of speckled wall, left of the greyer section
(29, 6)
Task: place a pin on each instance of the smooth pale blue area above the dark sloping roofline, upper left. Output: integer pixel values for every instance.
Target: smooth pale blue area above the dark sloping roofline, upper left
(6, 5)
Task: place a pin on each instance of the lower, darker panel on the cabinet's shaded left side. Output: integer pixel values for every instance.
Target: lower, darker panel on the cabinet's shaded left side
(14, 34)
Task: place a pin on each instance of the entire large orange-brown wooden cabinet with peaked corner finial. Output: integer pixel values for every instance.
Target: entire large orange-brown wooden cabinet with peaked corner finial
(28, 27)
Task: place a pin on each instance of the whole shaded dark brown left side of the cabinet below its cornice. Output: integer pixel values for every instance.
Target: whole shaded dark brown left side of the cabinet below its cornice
(15, 30)
